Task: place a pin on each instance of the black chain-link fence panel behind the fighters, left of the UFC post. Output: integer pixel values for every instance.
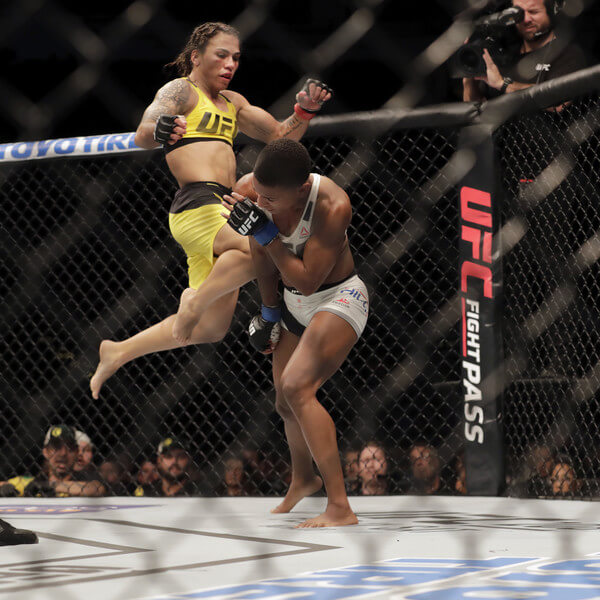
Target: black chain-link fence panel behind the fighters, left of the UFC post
(87, 255)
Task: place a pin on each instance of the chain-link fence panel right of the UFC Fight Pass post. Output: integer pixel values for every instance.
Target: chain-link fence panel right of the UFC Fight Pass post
(551, 284)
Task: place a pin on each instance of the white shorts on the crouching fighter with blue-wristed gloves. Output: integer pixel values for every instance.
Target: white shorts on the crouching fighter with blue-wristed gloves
(347, 299)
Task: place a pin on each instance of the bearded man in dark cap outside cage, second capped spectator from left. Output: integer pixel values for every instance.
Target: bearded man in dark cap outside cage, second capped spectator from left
(174, 465)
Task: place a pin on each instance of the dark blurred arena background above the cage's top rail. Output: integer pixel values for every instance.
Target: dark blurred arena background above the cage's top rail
(74, 68)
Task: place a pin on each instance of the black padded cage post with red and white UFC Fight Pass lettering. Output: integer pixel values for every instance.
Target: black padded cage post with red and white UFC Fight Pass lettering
(481, 326)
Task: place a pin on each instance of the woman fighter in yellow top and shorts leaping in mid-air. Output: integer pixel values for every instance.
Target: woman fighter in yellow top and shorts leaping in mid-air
(196, 118)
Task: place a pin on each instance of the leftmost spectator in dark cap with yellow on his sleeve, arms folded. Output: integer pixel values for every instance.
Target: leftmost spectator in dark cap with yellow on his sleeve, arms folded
(58, 478)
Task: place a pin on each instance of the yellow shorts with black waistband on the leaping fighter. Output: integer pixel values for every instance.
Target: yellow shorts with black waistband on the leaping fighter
(194, 220)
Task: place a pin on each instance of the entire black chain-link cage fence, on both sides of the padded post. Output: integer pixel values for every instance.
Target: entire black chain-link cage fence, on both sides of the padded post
(86, 255)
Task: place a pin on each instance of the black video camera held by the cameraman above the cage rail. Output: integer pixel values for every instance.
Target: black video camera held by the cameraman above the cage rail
(494, 32)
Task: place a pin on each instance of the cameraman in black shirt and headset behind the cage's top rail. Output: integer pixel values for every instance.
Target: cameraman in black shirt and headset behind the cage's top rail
(541, 55)
